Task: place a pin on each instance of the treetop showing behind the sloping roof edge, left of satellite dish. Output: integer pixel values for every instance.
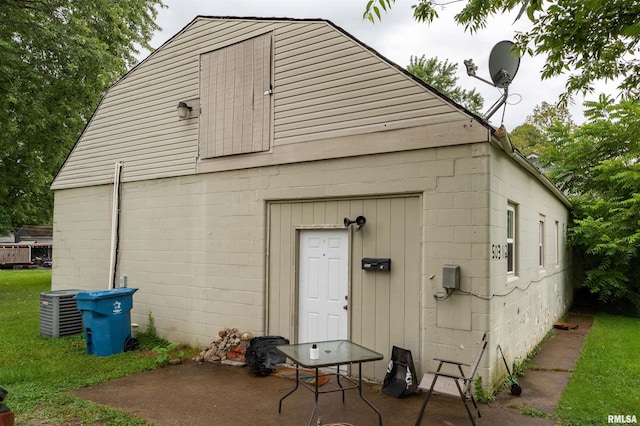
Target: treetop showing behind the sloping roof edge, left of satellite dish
(442, 77)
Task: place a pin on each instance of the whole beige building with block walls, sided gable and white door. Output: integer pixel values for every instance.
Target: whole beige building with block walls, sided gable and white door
(280, 177)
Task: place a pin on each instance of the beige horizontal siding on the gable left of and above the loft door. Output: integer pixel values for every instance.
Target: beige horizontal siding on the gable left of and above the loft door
(137, 121)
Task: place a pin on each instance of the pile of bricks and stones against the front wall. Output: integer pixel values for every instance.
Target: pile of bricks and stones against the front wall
(227, 348)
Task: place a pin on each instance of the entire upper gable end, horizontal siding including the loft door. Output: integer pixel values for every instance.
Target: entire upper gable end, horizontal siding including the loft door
(326, 91)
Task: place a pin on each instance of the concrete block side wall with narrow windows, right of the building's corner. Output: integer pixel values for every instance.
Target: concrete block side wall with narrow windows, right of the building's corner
(528, 302)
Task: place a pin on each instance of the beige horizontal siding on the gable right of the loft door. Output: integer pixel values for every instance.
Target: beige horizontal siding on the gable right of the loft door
(329, 86)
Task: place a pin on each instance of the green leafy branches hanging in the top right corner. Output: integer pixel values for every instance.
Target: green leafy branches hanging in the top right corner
(599, 38)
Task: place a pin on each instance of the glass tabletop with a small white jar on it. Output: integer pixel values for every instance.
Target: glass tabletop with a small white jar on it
(332, 352)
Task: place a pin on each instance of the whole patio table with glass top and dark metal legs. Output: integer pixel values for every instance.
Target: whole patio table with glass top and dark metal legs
(333, 353)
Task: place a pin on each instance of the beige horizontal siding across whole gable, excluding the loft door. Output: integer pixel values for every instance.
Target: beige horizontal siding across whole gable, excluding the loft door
(326, 86)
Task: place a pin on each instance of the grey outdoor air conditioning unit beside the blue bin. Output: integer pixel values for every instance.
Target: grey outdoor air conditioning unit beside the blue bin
(59, 315)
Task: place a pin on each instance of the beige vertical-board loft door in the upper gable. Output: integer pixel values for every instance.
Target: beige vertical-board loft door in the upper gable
(236, 112)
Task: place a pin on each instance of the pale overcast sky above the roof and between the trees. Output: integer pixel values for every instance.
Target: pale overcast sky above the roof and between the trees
(397, 37)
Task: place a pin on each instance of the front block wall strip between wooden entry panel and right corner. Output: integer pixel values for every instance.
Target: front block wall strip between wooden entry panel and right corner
(456, 233)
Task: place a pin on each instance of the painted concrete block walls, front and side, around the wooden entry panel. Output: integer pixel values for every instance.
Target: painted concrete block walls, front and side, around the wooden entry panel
(196, 245)
